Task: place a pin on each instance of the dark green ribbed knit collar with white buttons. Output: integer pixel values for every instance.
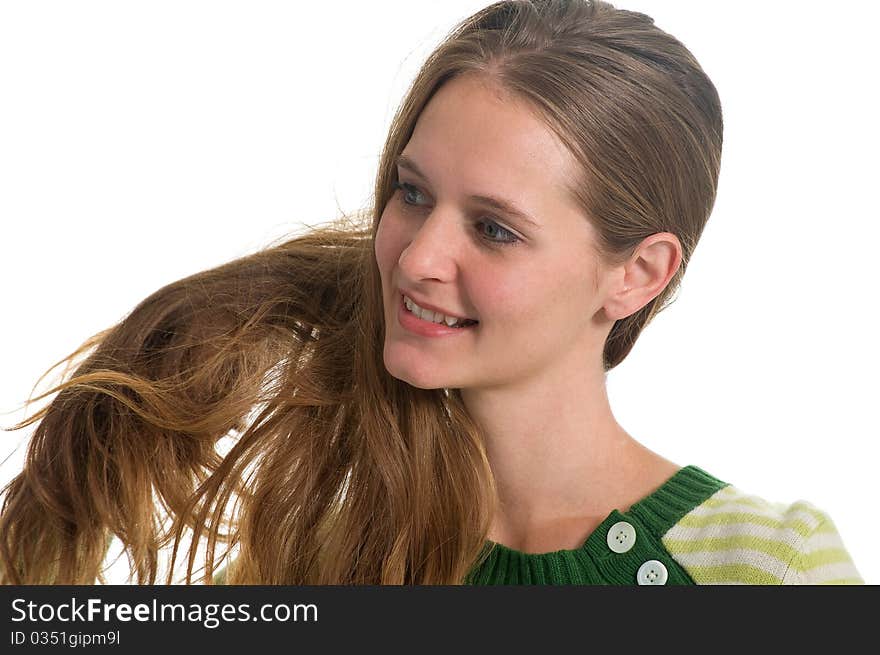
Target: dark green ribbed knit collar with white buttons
(594, 562)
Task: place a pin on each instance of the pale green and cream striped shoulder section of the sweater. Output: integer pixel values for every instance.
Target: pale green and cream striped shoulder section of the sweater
(736, 538)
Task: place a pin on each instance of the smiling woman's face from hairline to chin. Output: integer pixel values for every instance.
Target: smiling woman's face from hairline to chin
(530, 285)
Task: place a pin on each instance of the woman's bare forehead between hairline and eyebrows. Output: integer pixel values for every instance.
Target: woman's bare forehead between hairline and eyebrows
(473, 131)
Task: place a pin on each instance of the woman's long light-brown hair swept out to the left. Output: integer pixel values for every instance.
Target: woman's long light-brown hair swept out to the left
(338, 472)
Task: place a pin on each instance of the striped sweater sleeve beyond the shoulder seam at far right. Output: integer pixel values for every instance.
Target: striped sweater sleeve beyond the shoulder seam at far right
(823, 559)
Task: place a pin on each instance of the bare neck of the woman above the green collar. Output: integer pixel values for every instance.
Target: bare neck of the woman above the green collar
(560, 459)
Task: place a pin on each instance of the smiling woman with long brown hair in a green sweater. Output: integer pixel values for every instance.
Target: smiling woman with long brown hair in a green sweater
(419, 397)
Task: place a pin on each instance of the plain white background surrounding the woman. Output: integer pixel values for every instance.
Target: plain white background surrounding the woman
(142, 142)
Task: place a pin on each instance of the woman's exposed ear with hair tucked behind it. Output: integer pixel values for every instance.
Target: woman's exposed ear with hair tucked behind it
(643, 276)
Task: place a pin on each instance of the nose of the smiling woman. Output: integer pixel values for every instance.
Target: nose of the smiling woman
(432, 252)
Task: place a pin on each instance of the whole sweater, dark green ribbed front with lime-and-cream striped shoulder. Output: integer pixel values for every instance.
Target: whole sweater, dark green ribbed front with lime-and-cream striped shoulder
(697, 530)
